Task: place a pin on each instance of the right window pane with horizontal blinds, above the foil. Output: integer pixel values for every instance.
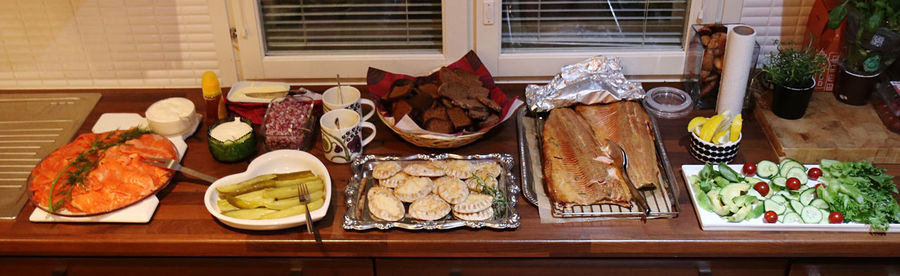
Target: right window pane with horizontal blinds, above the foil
(559, 25)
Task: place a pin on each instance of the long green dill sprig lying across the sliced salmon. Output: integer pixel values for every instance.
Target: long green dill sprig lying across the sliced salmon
(85, 162)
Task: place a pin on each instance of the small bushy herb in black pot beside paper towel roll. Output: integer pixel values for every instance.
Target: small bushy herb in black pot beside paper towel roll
(792, 71)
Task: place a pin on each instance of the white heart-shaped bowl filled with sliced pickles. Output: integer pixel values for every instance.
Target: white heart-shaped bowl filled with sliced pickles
(265, 196)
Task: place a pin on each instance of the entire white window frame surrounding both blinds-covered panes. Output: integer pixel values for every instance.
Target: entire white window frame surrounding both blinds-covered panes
(464, 30)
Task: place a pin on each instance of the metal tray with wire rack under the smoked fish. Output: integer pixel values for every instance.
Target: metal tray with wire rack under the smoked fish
(661, 200)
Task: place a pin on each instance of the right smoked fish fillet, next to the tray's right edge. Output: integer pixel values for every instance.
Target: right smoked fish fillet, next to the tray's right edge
(627, 124)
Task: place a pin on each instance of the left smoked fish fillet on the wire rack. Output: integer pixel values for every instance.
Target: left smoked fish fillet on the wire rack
(576, 170)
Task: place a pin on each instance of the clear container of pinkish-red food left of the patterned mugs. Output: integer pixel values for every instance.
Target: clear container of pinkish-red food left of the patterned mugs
(288, 123)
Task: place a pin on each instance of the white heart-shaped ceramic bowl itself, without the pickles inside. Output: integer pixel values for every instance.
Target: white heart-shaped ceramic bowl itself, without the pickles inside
(279, 161)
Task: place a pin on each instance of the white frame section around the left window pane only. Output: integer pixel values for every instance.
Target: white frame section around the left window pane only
(254, 64)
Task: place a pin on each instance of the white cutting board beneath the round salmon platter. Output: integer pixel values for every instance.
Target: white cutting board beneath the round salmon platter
(140, 212)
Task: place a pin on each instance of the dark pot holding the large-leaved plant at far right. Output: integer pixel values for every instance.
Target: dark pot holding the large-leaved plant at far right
(854, 88)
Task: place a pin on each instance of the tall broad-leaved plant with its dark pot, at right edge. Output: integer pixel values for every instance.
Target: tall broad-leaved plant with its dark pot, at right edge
(871, 44)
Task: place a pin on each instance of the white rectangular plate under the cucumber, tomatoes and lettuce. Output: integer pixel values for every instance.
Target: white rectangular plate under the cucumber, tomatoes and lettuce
(710, 221)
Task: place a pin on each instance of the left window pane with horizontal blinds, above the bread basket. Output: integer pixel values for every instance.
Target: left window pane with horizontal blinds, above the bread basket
(316, 26)
